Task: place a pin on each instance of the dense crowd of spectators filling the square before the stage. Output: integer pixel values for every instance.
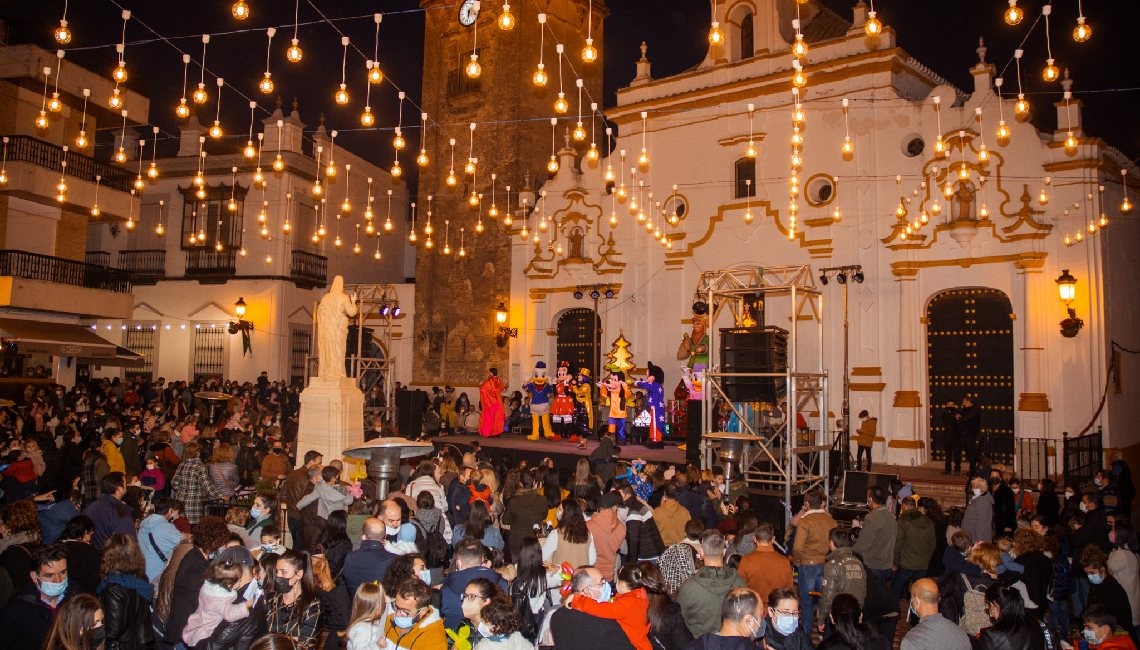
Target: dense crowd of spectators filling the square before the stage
(128, 524)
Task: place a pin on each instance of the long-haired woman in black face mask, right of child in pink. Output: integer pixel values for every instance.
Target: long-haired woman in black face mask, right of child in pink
(295, 611)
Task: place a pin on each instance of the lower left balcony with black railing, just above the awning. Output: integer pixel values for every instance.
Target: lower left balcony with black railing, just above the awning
(45, 283)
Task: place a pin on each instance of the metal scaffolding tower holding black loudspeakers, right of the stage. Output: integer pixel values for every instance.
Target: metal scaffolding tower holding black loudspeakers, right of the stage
(776, 453)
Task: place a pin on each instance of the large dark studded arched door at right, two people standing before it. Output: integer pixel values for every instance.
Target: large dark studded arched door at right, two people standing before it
(971, 353)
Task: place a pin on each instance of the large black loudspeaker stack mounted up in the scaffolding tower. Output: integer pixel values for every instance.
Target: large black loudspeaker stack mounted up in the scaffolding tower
(754, 351)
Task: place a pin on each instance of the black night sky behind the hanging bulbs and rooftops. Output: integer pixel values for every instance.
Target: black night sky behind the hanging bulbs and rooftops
(941, 35)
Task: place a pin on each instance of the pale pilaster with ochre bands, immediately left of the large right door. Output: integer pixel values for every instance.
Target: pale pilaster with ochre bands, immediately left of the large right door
(903, 441)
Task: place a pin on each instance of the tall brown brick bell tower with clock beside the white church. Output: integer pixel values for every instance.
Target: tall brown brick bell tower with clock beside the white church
(457, 296)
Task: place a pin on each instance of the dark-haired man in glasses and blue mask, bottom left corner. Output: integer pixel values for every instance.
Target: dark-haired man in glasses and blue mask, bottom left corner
(28, 616)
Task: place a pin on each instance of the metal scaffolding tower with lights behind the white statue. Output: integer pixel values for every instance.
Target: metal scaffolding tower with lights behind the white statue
(377, 306)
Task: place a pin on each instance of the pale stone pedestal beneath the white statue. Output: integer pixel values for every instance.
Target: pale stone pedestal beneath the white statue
(332, 419)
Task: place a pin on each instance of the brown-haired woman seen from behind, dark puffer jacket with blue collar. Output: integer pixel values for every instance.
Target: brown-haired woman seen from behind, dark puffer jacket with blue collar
(126, 595)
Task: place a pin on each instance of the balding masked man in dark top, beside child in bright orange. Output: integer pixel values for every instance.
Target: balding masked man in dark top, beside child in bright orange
(575, 630)
